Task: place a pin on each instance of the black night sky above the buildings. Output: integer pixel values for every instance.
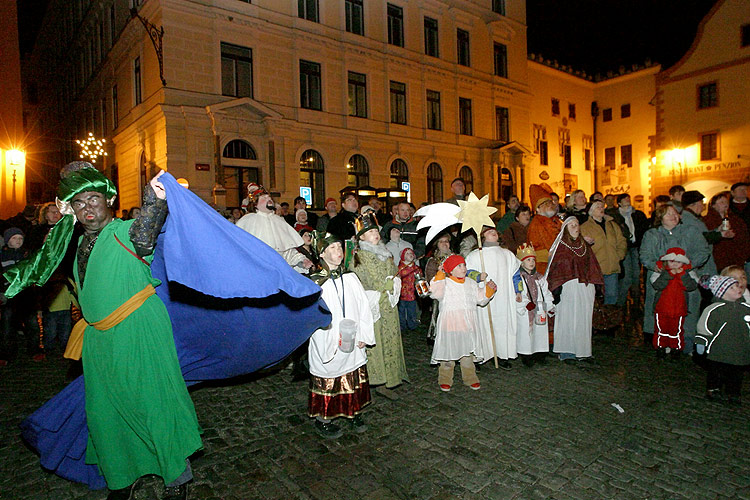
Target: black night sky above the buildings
(591, 35)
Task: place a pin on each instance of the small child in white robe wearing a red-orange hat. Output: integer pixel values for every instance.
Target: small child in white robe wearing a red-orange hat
(456, 331)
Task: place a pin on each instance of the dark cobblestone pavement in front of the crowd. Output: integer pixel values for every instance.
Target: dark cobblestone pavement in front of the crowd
(546, 432)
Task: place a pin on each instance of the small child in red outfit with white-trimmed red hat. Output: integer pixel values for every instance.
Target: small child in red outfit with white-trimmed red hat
(672, 281)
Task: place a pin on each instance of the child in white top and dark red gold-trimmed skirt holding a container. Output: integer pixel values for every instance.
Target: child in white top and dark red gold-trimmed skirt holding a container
(339, 385)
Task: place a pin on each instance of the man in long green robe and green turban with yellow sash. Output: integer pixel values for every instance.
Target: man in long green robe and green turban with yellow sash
(140, 417)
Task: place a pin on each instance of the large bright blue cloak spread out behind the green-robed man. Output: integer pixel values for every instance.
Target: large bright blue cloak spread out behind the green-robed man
(235, 305)
